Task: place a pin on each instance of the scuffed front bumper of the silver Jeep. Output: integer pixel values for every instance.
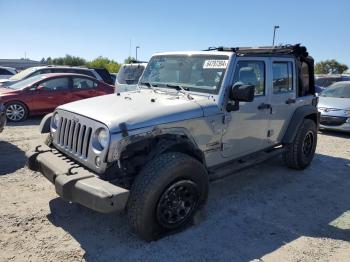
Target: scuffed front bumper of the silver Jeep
(75, 183)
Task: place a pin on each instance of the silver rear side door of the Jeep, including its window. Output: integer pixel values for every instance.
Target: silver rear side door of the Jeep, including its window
(283, 96)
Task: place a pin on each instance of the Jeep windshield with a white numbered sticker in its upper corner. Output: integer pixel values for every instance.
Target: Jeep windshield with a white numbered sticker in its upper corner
(199, 73)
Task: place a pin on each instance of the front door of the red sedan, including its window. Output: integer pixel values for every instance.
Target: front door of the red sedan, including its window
(49, 94)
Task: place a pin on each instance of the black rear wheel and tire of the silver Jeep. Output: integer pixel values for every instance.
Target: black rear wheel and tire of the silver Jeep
(300, 153)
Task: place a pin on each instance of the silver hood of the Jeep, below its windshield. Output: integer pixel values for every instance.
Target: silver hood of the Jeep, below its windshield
(137, 109)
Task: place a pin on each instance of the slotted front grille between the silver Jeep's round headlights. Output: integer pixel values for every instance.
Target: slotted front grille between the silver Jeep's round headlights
(74, 137)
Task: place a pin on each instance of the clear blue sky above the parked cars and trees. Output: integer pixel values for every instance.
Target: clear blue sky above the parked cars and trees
(92, 28)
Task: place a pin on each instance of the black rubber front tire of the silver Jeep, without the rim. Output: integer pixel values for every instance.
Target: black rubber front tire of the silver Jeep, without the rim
(163, 172)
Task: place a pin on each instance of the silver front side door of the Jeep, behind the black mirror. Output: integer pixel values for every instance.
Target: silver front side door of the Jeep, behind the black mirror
(247, 128)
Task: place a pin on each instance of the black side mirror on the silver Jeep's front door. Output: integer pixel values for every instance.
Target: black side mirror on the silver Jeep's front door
(240, 93)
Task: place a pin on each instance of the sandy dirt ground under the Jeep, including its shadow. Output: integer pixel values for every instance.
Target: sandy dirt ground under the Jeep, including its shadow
(264, 213)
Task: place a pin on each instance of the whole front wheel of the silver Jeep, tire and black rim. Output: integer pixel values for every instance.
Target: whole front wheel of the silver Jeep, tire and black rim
(166, 195)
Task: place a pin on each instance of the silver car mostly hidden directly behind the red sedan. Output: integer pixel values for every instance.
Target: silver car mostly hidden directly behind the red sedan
(98, 73)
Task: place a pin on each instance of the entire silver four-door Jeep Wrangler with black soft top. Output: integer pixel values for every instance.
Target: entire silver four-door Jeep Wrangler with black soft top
(195, 117)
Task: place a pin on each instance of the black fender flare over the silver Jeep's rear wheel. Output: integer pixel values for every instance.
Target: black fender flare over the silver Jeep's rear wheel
(306, 111)
